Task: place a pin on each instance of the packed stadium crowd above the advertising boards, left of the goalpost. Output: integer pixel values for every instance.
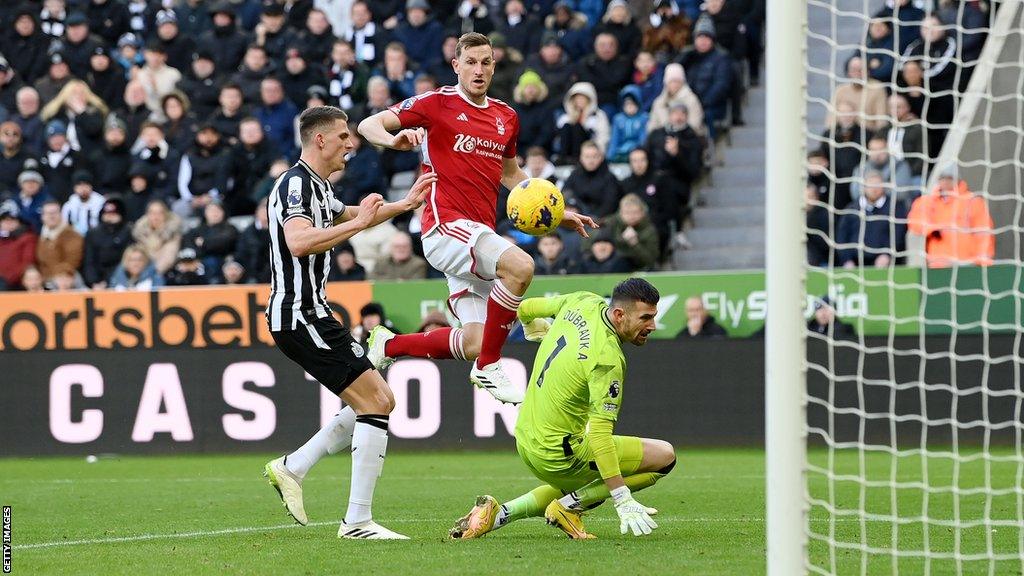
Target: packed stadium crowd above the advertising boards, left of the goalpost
(140, 139)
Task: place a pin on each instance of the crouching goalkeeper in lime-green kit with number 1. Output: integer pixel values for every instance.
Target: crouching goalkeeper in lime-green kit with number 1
(564, 434)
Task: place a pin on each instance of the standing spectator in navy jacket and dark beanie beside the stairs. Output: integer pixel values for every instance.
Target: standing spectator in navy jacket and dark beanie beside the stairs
(709, 73)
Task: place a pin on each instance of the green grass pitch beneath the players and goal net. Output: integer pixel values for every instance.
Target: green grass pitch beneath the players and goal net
(217, 515)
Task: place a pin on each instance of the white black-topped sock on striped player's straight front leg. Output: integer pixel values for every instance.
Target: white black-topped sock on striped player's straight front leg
(369, 448)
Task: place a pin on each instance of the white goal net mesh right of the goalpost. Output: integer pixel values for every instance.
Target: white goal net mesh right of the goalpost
(915, 213)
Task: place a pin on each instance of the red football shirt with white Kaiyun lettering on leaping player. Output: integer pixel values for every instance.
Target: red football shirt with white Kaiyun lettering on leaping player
(465, 146)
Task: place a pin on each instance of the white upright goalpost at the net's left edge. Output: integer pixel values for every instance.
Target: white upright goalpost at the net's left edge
(786, 339)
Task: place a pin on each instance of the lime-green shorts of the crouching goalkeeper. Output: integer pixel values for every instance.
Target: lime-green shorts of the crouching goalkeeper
(576, 468)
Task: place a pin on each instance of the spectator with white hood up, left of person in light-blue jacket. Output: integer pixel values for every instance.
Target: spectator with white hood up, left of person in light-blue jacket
(581, 121)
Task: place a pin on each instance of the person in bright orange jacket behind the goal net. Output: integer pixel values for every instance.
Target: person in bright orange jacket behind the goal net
(956, 224)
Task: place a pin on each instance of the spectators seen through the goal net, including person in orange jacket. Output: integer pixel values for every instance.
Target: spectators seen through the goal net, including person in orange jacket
(885, 130)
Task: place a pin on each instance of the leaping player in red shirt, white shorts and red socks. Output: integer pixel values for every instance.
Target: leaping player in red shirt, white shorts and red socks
(470, 140)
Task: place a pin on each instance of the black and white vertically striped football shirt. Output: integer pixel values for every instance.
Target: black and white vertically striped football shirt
(298, 286)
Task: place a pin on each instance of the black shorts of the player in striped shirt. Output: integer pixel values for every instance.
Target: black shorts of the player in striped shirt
(327, 351)
